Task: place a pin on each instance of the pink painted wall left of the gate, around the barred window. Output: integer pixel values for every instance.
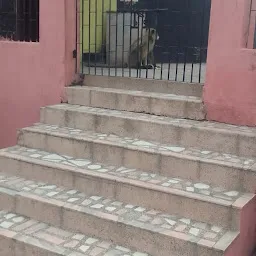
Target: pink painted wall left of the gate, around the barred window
(33, 75)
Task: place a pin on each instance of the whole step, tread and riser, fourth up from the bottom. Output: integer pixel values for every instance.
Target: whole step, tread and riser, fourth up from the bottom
(225, 170)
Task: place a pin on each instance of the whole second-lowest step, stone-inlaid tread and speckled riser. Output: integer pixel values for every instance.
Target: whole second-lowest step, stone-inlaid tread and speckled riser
(129, 225)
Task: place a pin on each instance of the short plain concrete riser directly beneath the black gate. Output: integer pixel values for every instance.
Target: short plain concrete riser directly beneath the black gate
(146, 85)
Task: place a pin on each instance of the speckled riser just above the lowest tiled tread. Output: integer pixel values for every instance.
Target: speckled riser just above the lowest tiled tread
(106, 226)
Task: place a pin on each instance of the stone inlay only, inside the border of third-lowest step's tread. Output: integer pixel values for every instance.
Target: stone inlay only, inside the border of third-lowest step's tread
(151, 178)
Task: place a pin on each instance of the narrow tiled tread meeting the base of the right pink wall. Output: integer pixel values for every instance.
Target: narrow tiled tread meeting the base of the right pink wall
(178, 122)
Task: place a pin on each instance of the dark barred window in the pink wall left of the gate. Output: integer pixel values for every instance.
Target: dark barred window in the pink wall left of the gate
(19, 20)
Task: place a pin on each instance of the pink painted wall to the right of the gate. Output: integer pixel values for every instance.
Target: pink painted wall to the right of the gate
(230, 88)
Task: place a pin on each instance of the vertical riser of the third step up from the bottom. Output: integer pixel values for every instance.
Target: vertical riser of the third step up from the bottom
(126, 191)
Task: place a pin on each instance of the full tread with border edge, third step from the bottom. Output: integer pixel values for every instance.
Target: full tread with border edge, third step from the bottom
(152, 181)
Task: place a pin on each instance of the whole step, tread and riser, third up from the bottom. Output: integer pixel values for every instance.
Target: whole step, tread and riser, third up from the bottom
(214, 205)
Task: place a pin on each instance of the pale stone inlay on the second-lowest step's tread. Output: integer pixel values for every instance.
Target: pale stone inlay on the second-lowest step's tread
(152, 219)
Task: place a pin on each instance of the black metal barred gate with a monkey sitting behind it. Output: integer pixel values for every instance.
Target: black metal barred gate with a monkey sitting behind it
(157, 39)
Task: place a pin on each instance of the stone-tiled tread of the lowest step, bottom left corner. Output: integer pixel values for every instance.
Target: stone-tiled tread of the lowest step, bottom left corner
(65, 242)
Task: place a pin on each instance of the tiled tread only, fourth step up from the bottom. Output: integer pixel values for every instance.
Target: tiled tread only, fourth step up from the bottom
(208, 156)
